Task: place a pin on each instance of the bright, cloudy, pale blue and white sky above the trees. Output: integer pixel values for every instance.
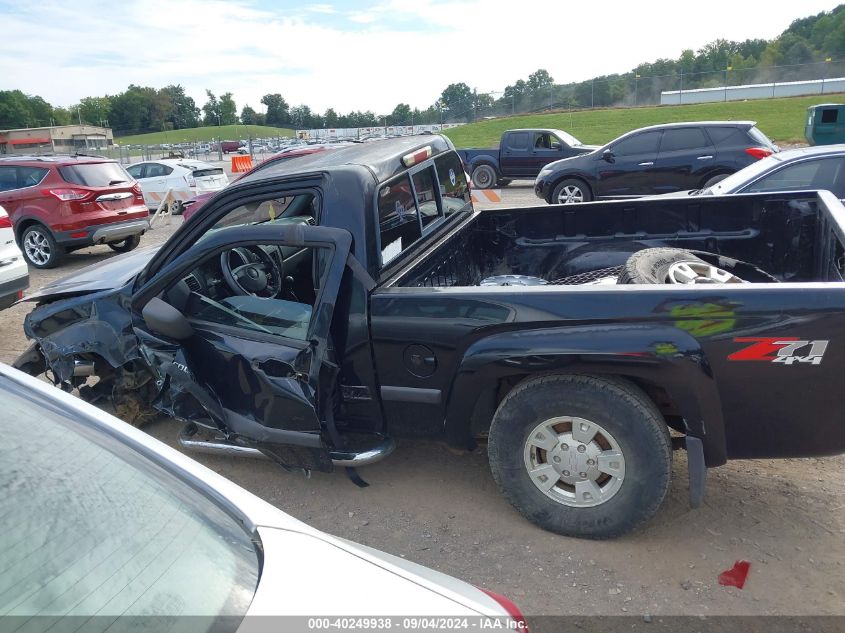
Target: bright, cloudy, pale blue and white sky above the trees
(354, 55)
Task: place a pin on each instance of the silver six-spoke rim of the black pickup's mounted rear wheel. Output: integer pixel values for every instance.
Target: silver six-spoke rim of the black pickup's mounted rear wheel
(574, 461)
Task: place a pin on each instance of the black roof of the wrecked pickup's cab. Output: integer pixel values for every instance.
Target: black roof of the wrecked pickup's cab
(383, 158)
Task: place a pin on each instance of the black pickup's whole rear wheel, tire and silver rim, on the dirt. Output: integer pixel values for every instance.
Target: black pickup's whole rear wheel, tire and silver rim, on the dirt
(607, 459)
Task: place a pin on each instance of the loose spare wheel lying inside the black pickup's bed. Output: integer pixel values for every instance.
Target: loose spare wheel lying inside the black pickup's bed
(672, 266)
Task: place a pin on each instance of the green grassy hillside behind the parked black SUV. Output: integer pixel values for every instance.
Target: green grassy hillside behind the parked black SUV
(782, 120)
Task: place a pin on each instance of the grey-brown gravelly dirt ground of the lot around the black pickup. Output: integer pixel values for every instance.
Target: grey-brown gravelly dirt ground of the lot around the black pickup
(442, 509)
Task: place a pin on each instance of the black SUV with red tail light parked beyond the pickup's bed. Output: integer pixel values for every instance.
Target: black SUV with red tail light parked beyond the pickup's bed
(654, 160)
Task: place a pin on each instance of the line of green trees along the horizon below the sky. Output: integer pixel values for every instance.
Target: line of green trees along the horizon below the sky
(802, 50)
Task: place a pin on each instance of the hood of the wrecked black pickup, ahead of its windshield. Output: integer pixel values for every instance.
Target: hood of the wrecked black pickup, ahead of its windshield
(110, 274)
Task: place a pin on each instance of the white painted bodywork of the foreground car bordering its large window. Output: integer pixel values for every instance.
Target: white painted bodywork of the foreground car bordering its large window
(305, 571)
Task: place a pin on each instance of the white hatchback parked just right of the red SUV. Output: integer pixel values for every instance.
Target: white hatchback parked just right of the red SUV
(184, 177)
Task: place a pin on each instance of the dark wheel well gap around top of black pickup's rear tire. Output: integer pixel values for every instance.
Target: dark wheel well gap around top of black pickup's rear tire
(490, 399)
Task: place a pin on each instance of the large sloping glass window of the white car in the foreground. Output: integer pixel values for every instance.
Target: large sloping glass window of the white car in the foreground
(91, 527)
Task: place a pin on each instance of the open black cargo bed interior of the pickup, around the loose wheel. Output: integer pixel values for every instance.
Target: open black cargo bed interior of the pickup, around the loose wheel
(796, 237)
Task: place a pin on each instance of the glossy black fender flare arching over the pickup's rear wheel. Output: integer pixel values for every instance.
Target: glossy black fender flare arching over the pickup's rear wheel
(662, 355)
